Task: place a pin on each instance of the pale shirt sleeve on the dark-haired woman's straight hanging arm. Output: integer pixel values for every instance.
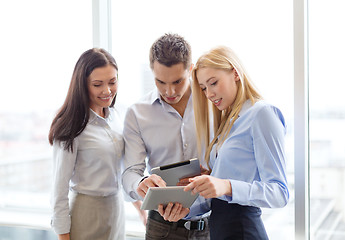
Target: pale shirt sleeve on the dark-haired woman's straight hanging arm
(63, 166)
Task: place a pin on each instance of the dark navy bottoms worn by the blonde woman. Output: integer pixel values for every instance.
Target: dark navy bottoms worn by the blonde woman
(235, 222)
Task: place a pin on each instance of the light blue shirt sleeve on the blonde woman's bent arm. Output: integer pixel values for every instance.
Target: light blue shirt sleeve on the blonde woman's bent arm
(268, 132)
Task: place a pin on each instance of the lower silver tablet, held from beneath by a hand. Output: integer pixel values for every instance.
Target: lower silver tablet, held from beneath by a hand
(164, 195)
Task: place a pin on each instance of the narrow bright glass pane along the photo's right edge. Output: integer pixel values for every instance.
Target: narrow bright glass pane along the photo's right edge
(327, 119)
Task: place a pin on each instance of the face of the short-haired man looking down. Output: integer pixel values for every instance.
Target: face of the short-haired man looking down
(172, 82)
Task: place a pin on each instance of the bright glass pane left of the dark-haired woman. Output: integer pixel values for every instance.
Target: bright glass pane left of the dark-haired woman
(41, 41)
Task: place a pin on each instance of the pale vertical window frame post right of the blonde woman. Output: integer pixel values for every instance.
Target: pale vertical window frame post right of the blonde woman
(301, 118)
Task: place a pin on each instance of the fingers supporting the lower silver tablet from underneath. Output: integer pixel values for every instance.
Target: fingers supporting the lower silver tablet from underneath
(173, 212)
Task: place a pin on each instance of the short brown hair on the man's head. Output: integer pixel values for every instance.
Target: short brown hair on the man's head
(171, 49)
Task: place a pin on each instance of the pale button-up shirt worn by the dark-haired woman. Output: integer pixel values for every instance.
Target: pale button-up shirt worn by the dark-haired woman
(93, 168)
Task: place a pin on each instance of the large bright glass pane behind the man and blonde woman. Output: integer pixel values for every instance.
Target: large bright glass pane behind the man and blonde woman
(259, 31)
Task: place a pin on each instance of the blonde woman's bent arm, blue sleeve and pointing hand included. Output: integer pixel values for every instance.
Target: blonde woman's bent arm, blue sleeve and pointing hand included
(270, 190)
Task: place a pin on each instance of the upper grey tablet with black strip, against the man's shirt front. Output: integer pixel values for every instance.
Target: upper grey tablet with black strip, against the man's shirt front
(172, 173)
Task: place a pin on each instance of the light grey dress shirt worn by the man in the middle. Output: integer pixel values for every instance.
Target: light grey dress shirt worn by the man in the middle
(155, 130)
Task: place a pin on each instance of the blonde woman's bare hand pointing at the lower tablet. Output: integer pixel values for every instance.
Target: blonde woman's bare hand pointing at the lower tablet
(209, 187)
